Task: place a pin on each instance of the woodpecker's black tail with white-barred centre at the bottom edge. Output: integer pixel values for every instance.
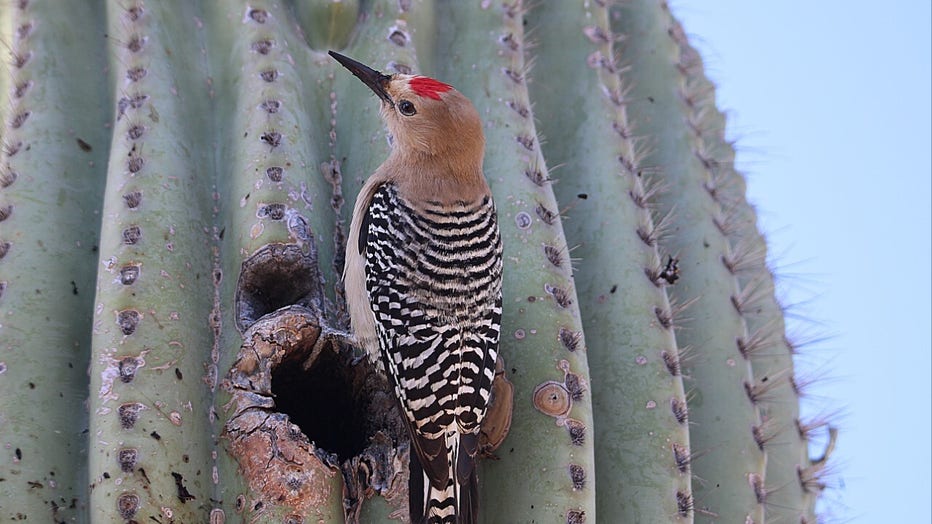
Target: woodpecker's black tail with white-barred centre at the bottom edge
(447, 505)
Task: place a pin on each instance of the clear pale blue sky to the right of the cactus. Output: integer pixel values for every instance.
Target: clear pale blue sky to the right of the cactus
(830, 104)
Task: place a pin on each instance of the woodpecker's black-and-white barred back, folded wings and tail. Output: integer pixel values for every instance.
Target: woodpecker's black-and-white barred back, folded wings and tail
(434, 282)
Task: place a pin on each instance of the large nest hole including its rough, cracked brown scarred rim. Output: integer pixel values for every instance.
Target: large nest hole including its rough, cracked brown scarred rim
(294, 383)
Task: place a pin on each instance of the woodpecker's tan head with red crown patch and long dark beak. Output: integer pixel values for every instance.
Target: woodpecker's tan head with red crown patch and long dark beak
(428, 119)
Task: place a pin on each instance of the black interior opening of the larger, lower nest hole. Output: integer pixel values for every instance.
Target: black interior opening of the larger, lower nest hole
(325, 402)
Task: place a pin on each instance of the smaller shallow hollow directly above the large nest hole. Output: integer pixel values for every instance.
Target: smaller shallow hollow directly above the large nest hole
(276, 276)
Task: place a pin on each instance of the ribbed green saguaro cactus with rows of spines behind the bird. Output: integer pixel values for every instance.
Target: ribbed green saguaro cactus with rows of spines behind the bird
(175, 184)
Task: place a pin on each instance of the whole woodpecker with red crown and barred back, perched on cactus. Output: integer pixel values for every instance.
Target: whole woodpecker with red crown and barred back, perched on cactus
(423, 281)
